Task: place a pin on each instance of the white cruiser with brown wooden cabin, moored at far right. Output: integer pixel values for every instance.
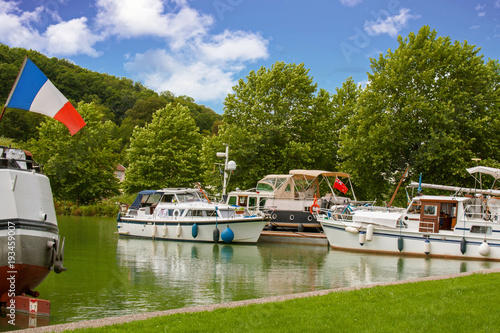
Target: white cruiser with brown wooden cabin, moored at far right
(463, 225)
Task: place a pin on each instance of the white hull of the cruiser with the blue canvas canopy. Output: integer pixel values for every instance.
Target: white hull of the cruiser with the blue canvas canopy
(245, 230)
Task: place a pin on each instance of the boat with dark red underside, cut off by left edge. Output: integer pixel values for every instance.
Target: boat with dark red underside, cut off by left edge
(30, 245)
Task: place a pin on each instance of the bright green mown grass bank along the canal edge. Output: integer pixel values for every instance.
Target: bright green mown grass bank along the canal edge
(465, 304)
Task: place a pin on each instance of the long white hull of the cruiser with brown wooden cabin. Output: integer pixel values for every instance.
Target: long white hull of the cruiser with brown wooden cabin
(386, 240)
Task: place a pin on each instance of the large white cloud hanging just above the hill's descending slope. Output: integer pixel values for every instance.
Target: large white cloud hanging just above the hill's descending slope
(208, 74)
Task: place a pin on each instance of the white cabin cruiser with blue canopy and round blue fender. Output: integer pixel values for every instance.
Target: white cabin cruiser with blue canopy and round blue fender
(184, 214)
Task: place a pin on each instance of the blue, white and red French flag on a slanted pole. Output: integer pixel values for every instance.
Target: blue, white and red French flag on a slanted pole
(34, 92)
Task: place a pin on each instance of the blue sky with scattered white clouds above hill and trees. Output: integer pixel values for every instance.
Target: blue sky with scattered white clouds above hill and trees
(201, 48)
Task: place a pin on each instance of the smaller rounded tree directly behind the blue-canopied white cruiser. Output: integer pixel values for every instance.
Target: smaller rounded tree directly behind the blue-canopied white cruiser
(165, 152)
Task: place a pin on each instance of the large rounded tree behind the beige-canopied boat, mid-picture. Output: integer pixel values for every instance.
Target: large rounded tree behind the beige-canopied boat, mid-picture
(274, 122)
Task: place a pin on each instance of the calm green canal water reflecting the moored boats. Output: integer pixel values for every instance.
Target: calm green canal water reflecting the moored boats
(111, 276)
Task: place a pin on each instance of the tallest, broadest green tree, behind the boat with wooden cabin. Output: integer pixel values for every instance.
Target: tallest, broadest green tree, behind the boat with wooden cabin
(431, 104)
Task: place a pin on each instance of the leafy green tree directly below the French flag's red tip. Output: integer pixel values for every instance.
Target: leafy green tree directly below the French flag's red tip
(80, 167)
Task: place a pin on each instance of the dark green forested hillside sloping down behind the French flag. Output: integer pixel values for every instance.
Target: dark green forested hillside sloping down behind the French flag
(125, 102)
